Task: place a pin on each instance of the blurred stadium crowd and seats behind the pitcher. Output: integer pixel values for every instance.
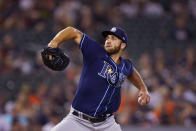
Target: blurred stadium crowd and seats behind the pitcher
(162, 46)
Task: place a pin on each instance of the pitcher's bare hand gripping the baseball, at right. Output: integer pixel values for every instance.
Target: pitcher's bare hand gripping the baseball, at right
(143, 97)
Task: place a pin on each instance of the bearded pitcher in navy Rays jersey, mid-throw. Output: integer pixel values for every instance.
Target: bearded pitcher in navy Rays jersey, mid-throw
(103, 72)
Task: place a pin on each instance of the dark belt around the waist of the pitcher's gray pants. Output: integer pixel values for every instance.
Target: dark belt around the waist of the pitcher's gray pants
(90, 118)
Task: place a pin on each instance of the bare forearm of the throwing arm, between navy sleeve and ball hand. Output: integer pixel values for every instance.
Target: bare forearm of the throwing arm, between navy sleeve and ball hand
(137, 81)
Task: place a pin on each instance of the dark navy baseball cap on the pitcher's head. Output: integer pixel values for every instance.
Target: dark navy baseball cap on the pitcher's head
(118, 32)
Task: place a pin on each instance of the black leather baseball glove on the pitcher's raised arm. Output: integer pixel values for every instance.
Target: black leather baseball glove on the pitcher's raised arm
(54, 58)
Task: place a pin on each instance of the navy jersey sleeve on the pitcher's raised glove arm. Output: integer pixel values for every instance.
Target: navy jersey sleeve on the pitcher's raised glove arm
(90, 48)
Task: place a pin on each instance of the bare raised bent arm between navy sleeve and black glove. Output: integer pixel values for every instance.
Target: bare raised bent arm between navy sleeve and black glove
(68, 33)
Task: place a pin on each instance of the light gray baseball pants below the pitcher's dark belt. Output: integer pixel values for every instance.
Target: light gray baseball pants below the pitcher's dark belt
(74, 123)
